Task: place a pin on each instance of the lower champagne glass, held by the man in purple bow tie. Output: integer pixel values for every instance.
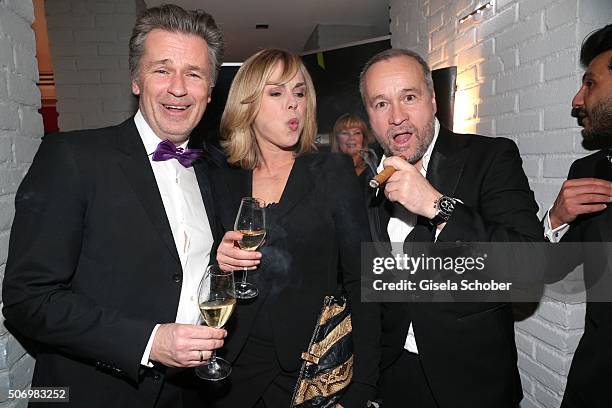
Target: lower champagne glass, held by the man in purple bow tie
(216, 298)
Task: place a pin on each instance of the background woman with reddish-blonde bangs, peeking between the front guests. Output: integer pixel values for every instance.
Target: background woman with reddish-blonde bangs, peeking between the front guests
(349, 136)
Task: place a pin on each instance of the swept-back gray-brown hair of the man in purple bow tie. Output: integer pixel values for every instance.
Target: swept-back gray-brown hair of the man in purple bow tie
(170, 17)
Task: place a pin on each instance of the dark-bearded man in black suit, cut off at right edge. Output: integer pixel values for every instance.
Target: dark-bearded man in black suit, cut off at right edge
(581, 213)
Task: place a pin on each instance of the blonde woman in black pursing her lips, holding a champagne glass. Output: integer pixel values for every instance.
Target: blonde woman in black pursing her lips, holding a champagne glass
(315, 223)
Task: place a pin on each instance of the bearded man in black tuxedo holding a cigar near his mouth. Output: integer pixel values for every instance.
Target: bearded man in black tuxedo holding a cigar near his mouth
(449, 188)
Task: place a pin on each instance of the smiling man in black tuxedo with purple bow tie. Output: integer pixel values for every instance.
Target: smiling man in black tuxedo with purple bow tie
(113, 230)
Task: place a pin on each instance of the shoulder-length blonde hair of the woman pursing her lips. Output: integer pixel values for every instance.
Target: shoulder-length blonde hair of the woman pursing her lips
(244, 100)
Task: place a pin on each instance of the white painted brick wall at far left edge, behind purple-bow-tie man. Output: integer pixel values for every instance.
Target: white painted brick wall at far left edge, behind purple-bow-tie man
(20, 132)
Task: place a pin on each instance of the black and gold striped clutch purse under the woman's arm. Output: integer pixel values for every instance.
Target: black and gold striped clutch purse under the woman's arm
(327, 368)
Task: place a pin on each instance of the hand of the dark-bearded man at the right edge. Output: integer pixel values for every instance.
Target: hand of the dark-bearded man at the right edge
(579, 196)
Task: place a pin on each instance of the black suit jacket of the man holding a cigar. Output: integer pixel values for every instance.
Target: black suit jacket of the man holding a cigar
(467, 349)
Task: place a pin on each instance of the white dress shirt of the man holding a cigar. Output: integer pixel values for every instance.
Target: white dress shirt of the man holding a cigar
(402, 222)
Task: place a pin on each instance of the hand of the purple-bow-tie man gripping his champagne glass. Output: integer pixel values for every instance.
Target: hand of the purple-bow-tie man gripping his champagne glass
(180, 345)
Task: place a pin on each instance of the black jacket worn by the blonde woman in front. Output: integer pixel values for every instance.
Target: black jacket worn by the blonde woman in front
(317, 229)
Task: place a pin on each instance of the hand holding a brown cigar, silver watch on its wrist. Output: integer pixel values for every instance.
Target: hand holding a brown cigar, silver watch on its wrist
(408, 187)
